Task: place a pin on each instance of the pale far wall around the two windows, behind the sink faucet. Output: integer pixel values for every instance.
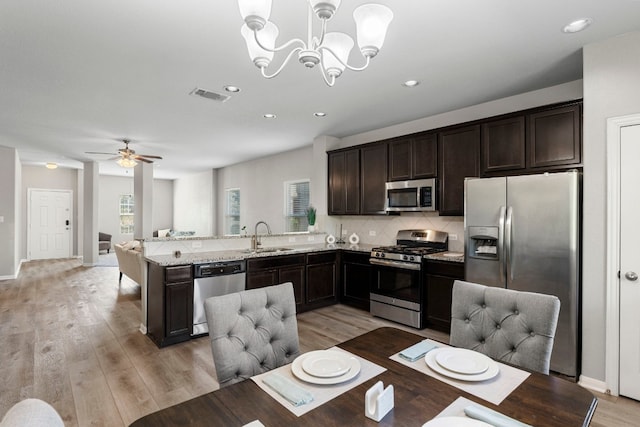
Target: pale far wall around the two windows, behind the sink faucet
(261, 184)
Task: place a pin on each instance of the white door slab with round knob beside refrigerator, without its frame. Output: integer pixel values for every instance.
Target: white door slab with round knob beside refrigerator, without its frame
(629, 372)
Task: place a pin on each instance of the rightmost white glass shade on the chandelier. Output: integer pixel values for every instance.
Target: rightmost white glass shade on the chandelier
(372, 21)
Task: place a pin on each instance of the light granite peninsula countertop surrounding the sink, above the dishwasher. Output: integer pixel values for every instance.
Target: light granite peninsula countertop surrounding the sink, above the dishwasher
(232, 255)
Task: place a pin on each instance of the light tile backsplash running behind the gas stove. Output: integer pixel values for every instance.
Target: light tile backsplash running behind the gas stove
(381, 230)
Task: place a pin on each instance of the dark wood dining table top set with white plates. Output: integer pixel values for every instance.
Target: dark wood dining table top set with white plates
(539, 400)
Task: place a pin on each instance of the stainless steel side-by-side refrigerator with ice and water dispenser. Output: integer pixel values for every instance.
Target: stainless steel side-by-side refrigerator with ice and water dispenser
(523, 233)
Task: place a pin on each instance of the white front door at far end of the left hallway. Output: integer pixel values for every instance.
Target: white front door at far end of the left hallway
(49, 224)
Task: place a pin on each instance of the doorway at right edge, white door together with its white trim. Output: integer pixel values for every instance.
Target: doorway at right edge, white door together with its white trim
(623, 257)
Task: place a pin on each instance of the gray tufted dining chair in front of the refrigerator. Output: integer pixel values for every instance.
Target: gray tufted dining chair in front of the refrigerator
(507, 325)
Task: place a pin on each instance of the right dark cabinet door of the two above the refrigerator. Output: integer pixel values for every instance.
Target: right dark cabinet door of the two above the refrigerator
(554, 137)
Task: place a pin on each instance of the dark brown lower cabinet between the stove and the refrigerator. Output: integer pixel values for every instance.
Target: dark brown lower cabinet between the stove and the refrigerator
(439, 284)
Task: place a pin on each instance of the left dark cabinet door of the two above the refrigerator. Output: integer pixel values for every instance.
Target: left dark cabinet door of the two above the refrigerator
(503, 145)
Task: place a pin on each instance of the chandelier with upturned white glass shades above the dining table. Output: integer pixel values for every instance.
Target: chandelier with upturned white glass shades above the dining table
(330, 50)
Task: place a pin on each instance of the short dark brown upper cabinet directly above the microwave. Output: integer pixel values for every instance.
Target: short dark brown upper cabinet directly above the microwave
(413, 157)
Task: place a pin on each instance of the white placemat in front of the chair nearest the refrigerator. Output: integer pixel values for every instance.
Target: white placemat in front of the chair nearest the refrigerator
(494, 390)
